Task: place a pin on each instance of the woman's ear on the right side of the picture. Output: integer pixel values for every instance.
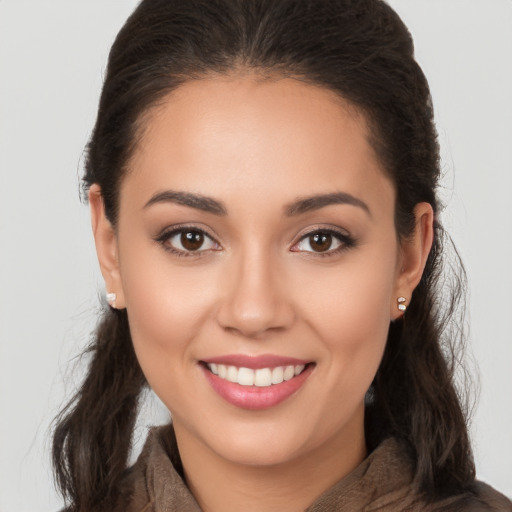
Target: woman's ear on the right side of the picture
(414, 252)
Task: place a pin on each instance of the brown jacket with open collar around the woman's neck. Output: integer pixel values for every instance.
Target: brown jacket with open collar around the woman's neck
(382, 482)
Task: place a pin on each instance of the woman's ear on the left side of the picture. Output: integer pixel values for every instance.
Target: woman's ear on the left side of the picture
(106, 245)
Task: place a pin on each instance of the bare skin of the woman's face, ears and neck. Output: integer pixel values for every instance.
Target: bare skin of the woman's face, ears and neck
(259, 286)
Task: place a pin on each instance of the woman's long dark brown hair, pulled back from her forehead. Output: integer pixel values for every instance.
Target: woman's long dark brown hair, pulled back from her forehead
(361, 50)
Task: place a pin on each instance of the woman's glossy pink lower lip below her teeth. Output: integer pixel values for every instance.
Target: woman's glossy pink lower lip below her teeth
(254, 397)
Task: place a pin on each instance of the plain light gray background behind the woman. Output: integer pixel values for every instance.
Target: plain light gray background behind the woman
(52, 57)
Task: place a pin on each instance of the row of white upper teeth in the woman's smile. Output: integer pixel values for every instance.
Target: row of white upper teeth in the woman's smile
(262, 377)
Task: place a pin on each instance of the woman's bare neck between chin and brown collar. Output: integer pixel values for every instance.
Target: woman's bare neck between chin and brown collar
(220, 485)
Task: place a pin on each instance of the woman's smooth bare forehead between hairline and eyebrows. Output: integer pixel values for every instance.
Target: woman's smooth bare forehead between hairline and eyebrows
(246, 136)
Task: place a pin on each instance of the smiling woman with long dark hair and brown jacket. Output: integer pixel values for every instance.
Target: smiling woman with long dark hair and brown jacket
(262, 180)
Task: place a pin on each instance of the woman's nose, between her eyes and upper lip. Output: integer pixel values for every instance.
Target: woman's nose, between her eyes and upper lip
(254, 299)
